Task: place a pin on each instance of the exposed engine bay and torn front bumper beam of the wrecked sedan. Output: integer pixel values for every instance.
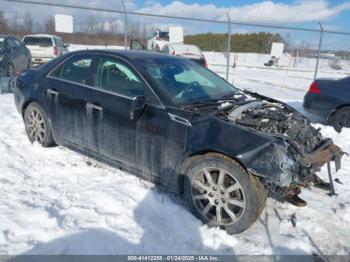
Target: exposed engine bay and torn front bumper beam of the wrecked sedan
(307, 147)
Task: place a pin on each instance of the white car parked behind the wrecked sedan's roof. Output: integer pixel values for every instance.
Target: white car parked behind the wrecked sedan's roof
(191, 52)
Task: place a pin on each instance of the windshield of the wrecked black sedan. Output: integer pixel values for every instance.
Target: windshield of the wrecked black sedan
(185, 81)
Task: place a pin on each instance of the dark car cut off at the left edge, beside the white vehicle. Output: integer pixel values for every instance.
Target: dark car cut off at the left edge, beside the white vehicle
(14, 56)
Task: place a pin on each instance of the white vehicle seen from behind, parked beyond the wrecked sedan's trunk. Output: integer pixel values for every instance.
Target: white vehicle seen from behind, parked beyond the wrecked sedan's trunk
(44, 47)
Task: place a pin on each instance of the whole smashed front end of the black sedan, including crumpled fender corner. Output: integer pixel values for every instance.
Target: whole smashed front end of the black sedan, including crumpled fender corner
(297, 153)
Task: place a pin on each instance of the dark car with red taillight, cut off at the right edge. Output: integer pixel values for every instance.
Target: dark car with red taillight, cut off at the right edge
(329, 100)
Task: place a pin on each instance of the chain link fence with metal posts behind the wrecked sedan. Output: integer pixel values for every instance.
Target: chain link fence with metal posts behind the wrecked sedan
(32, 33)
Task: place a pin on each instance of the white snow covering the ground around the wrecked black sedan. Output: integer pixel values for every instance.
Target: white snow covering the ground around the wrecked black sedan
(56, 201)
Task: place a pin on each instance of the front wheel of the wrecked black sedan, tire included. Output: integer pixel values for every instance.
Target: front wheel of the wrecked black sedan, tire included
(233, 202)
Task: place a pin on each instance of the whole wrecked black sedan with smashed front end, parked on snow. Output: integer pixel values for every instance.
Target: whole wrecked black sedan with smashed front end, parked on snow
(176, 123)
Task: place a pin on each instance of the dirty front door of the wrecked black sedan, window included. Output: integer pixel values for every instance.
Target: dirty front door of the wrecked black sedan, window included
(150, 143)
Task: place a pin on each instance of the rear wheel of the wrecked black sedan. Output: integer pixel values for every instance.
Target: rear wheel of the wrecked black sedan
(37, 125)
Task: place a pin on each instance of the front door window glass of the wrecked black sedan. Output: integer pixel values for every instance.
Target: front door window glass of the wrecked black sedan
(116, 76)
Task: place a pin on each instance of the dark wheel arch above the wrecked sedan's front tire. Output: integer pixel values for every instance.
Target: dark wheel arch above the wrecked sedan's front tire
(193, 157)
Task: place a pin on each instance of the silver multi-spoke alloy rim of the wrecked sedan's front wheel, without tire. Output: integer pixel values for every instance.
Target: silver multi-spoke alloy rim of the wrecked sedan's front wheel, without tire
(218, 196)
